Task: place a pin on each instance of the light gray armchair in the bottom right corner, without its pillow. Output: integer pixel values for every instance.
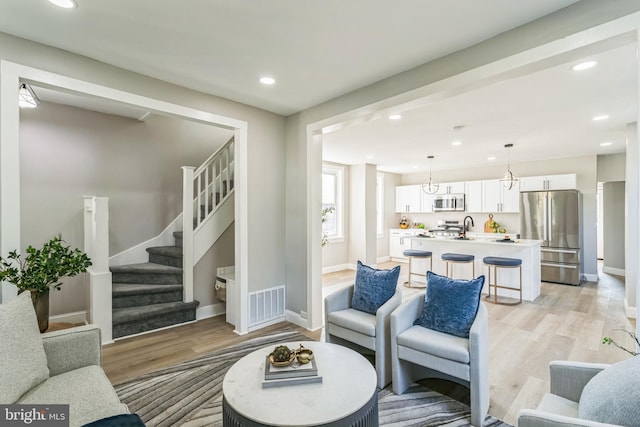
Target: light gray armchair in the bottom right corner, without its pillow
(559, 408)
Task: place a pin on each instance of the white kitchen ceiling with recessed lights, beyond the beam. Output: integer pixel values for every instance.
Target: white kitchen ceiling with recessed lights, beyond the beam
(546, 114)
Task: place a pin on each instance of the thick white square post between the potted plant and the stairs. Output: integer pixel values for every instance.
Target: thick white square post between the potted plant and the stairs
(96, 245)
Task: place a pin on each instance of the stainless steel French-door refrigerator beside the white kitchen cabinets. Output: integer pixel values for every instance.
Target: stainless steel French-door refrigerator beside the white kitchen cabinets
(554, 217)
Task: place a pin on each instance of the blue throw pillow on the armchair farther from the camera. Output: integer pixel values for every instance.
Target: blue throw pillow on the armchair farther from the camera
(373, 287)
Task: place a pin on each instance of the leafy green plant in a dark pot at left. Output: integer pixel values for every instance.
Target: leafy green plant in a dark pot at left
(41, 270)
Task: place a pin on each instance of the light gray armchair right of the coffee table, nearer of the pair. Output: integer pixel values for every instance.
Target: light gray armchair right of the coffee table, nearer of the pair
(418, 353)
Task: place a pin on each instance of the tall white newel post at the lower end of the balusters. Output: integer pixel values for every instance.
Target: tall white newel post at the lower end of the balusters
(187, 233)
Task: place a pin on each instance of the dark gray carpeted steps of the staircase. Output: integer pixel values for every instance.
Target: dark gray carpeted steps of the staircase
(148, 296)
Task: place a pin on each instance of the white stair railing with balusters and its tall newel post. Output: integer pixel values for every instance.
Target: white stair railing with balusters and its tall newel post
(204, 191)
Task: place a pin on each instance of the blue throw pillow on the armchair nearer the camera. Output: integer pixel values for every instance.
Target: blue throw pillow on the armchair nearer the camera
(450, 305)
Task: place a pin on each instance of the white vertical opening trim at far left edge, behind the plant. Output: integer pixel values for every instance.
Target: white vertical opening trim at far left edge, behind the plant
(9, 171)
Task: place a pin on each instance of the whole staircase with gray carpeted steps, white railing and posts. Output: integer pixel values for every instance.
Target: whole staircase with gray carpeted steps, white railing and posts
(151, 295)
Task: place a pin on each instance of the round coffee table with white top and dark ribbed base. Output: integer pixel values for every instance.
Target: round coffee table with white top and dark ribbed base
(347, 395)
